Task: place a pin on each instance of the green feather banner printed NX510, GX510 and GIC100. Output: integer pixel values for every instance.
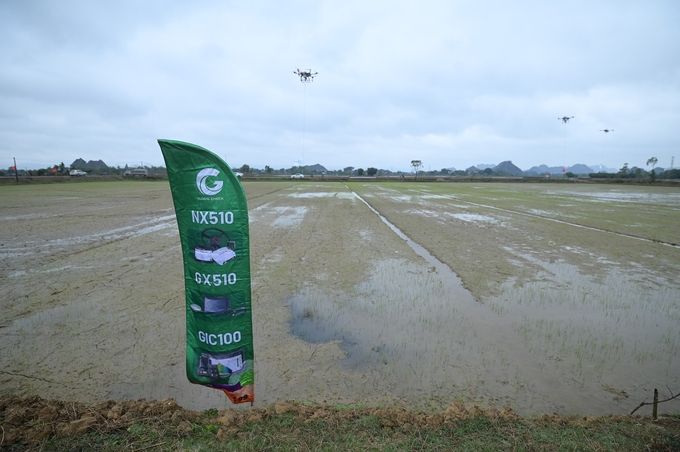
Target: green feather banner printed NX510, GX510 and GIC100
(212, 216)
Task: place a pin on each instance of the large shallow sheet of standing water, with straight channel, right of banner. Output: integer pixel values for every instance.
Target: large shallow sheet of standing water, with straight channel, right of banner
(569, 343)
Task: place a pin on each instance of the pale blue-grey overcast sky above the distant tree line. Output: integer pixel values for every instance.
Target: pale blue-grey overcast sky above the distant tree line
(452, 83)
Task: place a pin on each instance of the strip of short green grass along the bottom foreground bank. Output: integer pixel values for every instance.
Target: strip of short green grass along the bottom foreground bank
(288, 432)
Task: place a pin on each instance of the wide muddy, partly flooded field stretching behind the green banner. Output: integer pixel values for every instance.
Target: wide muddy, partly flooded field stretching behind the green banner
(565, 298)
